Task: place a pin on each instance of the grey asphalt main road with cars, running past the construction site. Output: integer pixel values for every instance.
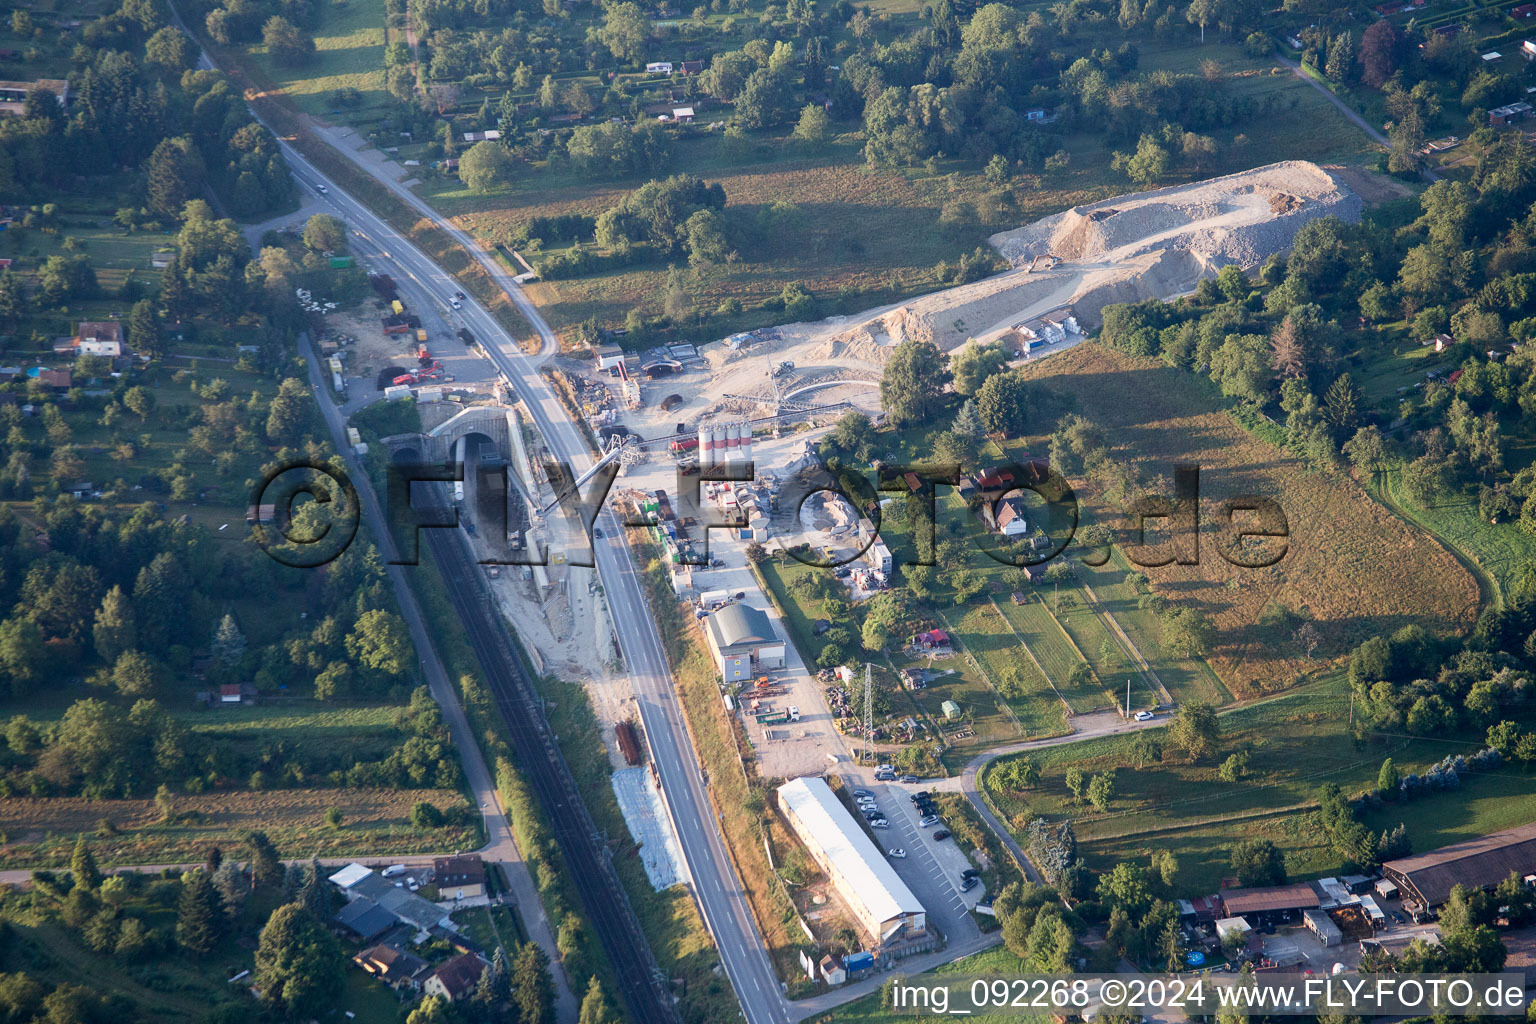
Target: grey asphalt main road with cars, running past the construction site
(720, 894)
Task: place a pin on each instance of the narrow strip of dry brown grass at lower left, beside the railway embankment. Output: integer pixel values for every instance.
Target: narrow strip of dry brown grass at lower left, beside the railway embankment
(374, 822)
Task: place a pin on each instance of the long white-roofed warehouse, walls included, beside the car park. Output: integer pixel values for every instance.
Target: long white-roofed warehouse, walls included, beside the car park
(864, 879)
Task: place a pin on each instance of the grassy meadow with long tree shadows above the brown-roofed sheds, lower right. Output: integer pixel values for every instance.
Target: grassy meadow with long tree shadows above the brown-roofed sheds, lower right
(1297, 742)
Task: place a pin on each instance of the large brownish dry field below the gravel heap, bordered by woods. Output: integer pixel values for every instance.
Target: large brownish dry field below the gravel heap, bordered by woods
(1351, 567)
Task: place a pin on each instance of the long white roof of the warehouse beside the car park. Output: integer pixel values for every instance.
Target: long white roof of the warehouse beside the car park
(861, 864)
